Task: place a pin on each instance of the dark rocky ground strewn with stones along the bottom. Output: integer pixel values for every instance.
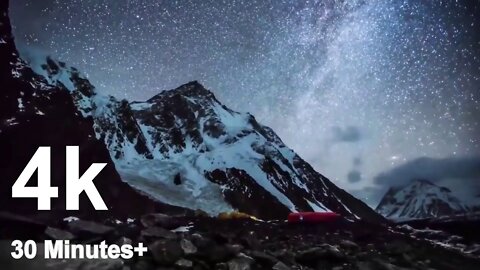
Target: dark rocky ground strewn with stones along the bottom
(209, 243)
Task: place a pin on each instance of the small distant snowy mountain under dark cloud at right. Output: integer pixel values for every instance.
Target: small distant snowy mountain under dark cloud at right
(420, 199)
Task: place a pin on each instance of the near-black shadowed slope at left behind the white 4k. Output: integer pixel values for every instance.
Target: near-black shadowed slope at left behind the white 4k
(35, 113)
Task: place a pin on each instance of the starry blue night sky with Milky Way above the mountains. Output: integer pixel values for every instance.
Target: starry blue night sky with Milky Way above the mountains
(361, 89)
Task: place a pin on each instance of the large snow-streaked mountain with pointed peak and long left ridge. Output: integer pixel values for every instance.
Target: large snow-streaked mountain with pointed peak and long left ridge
(221, 159)
